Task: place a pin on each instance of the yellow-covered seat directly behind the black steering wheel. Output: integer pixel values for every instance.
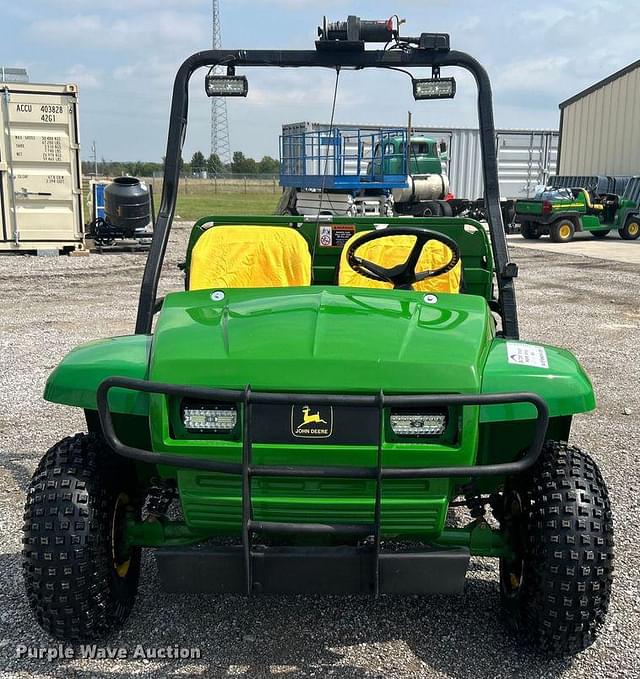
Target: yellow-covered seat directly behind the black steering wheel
(393, 250)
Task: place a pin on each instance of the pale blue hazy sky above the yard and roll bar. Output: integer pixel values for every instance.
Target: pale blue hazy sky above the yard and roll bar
(123, 55)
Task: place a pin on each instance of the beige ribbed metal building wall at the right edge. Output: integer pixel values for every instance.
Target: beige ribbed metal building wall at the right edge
(600, 127)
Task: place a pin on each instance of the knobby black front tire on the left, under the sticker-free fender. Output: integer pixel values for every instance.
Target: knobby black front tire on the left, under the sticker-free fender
(79, 583)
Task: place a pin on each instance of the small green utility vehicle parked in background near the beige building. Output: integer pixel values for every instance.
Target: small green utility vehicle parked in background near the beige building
(560, 213)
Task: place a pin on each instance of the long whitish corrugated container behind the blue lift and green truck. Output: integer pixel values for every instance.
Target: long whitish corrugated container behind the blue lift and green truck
(526, 158)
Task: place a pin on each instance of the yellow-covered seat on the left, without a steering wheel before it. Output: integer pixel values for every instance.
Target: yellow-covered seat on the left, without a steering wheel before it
(249, 257)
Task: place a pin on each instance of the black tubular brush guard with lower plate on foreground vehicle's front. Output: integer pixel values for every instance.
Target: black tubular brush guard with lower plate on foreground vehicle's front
(385, 572)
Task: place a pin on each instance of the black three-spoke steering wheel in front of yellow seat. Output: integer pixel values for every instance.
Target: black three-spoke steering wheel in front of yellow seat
(404, 275)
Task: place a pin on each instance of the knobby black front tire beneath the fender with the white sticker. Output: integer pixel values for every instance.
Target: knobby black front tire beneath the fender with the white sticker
(559, 520)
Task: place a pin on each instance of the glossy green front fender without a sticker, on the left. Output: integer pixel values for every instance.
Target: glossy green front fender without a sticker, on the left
(75, 381)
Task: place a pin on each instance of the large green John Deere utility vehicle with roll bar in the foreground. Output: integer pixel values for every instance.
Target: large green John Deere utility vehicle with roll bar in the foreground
(303, 416)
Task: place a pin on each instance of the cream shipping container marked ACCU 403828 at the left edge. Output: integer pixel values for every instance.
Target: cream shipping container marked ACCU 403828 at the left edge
(40, 174)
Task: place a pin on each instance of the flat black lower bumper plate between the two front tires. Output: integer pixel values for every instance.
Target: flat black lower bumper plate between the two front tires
(312, 570)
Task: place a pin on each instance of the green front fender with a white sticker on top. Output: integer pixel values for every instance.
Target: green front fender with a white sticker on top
(563, 384)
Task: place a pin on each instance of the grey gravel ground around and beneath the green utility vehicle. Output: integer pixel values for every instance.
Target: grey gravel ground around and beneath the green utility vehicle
(587, 305)
